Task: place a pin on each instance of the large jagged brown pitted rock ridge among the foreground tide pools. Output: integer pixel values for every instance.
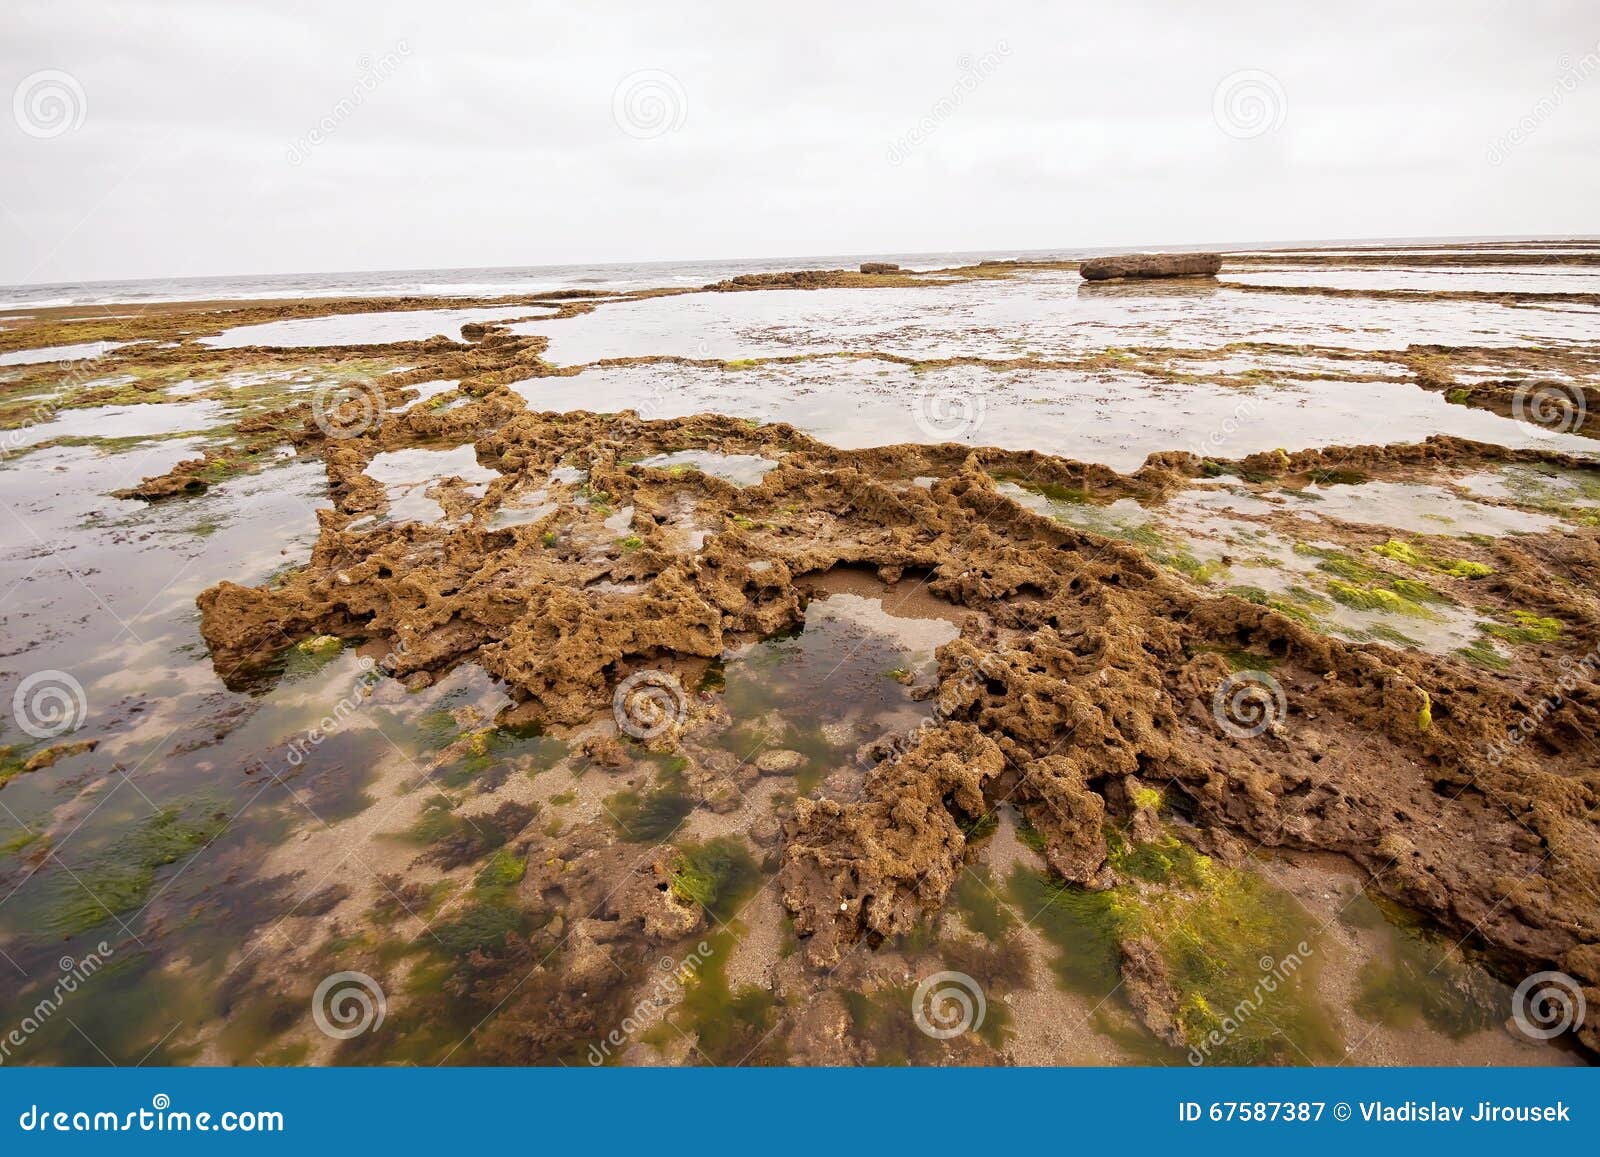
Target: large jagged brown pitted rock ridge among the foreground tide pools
(1084, 676)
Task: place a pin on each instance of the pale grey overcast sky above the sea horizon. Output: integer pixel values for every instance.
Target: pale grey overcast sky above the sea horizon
(159, 138)
